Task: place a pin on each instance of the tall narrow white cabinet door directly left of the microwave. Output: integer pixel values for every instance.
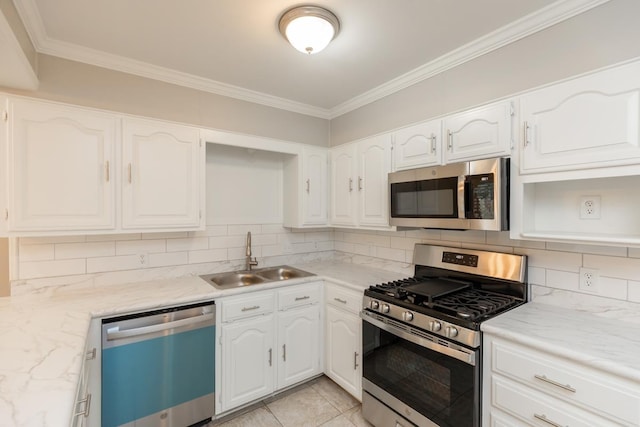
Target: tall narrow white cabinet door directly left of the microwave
(374, 158)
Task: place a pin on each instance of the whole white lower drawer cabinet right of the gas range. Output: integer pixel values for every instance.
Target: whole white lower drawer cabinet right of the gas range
(539, 389)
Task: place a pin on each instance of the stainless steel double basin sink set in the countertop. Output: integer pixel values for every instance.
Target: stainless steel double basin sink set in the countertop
(235, 279)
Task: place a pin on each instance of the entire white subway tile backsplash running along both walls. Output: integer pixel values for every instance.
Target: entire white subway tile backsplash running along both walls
(102, 259)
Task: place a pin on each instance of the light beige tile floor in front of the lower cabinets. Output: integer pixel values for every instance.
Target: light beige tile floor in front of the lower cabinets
(319, 402)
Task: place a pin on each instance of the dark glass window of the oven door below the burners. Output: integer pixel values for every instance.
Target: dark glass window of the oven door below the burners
(443, 389)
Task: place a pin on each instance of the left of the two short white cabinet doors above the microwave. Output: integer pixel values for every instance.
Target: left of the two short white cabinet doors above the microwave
(418, 146)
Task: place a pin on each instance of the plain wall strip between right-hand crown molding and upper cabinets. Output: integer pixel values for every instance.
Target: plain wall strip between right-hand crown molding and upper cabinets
(605, 35)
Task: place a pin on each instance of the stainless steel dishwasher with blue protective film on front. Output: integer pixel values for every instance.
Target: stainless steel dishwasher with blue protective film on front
(158, 367)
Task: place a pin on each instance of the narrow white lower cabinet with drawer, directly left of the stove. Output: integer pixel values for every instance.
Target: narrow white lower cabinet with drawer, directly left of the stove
(343, 343)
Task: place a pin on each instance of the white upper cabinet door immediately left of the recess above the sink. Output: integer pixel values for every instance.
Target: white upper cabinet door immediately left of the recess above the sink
(162, 183)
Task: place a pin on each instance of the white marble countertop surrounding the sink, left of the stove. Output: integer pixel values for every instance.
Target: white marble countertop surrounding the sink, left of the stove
(43, 335)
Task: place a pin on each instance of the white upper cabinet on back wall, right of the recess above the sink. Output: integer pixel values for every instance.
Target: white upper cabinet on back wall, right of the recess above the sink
(306, 188)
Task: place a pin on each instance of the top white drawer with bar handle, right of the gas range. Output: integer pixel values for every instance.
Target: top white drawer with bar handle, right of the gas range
(583, 386)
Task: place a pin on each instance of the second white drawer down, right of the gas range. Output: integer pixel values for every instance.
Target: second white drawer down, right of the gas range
(538, 409)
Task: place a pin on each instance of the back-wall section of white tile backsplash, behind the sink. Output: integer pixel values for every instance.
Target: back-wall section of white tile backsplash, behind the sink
(104, 259)
